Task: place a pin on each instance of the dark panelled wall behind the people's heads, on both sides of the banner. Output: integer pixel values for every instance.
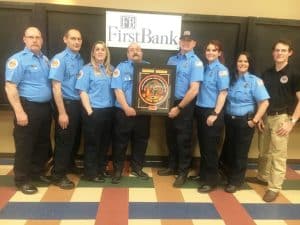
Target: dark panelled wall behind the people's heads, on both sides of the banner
(236, 33)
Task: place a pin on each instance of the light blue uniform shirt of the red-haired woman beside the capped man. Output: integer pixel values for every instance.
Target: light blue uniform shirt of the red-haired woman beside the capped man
(216, 79)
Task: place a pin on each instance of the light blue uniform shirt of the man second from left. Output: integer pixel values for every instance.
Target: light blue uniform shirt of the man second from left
(65, 67)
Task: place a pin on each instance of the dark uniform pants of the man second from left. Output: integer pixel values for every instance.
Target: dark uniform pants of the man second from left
(66, 139)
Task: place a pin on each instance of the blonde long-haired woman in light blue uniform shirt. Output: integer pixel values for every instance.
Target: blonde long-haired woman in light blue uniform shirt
(97, 99)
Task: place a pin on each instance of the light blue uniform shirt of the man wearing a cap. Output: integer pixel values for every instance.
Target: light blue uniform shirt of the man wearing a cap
(189, 68)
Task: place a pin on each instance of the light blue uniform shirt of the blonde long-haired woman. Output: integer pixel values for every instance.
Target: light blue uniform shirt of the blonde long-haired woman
(96, 85)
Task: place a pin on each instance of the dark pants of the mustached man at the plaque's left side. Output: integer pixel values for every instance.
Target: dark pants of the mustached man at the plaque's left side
(134, 129)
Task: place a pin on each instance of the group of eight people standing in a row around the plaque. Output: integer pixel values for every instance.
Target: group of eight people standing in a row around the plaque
(100, 97)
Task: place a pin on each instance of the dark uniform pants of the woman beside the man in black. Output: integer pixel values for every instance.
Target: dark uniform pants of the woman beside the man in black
(234, 156)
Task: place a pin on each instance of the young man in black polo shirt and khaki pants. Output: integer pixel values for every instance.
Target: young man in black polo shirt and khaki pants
(283, 85)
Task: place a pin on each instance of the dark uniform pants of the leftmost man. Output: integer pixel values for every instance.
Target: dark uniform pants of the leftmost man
(32, 142)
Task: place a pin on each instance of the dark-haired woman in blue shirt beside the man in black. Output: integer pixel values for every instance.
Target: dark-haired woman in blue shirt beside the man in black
(247, 102)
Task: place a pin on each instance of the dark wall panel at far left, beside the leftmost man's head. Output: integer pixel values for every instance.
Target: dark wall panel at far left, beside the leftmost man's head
(13, 21)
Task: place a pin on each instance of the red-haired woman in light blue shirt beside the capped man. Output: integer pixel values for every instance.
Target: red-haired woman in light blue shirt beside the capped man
(209, 113)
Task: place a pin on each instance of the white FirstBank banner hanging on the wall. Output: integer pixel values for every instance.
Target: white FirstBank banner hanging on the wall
(151, 31)
